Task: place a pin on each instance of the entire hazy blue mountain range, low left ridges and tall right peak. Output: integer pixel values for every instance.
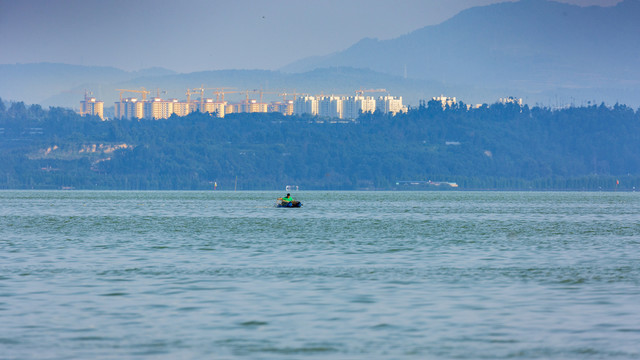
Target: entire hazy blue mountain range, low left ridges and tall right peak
(545, 52)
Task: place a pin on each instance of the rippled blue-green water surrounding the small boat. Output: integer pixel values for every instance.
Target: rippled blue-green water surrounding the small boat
(350, 275)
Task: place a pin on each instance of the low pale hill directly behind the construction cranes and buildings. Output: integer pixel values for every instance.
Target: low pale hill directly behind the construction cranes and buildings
(336, 80)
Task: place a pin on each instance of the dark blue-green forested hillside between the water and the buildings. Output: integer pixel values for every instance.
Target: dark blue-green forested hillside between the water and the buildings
(501, 146)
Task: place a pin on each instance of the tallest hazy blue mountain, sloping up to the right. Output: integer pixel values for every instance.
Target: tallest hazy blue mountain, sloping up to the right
(533, 47)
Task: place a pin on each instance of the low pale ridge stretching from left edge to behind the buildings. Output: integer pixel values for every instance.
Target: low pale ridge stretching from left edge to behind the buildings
(64, 85)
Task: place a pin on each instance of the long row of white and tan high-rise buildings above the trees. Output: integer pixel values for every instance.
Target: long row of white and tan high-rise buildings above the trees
(340, 107)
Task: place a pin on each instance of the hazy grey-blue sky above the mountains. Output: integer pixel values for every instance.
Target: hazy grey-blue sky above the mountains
(197, 35)
